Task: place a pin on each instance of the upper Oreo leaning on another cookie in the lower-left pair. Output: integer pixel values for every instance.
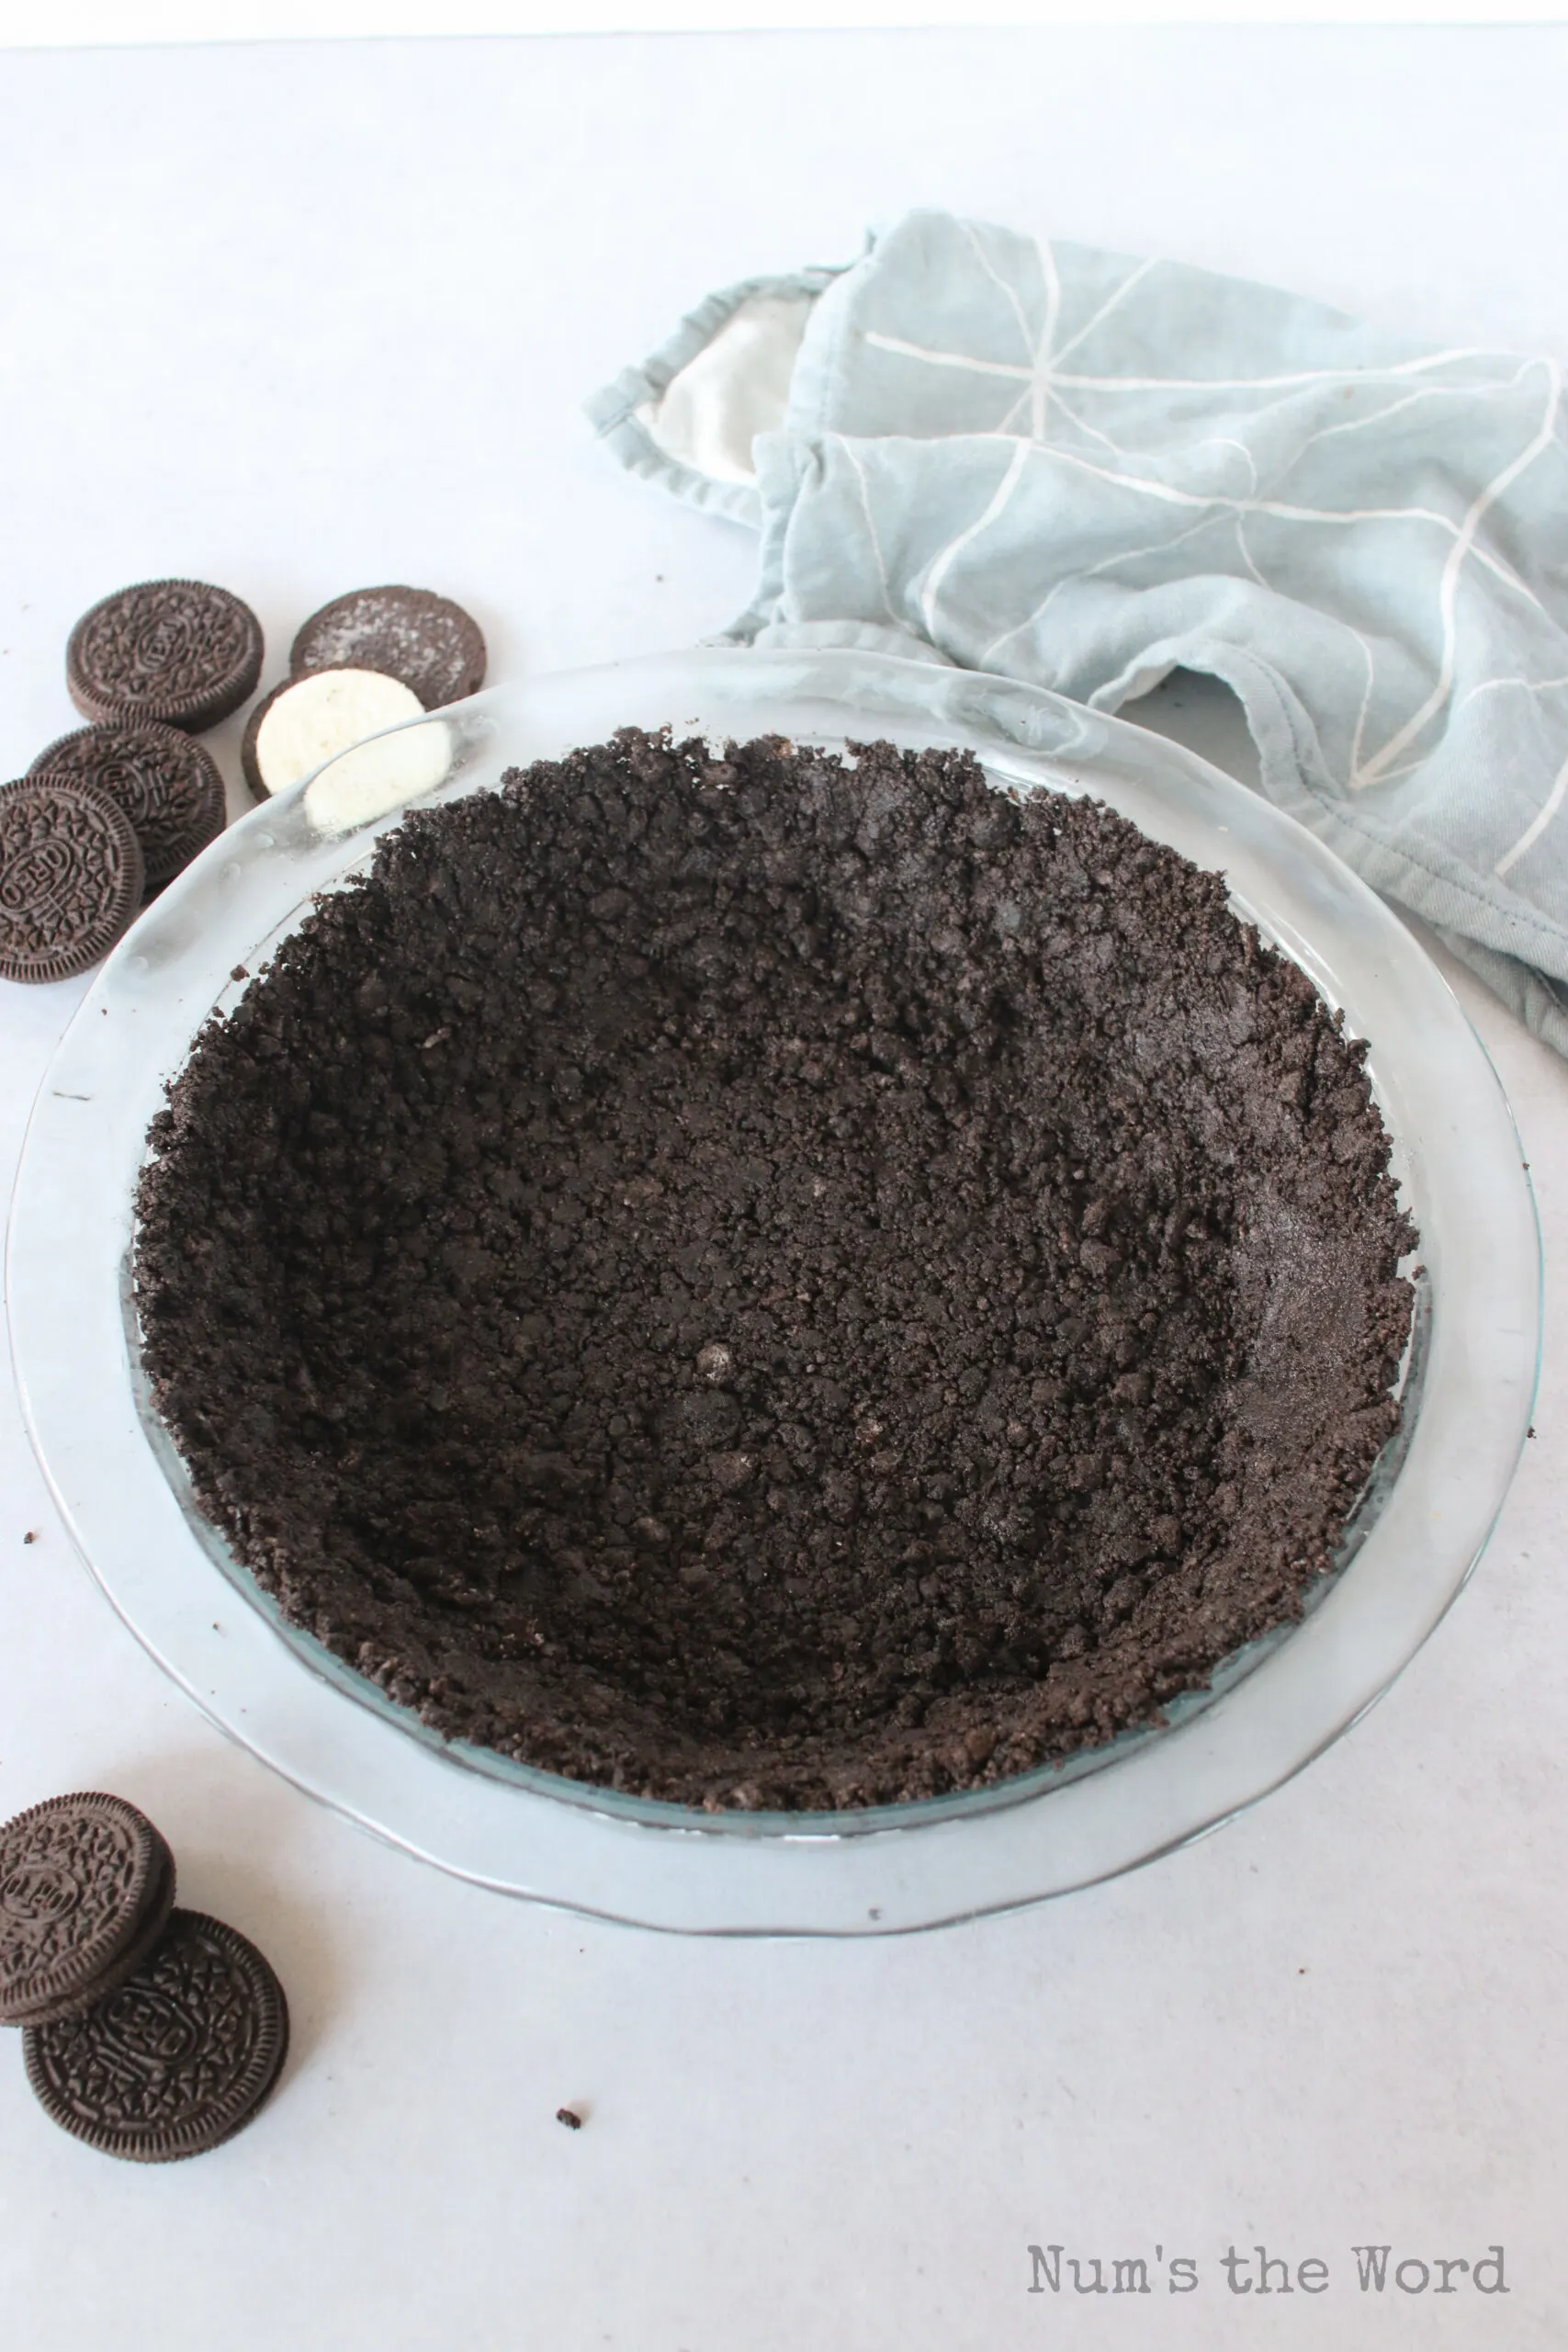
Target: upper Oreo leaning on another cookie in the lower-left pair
(86, 1892)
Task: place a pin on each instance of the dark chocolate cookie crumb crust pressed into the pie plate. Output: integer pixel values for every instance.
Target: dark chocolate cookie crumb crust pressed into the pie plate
(777, 1281)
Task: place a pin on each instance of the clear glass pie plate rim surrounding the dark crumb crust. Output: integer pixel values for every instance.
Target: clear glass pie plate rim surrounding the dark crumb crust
(1428, 1511)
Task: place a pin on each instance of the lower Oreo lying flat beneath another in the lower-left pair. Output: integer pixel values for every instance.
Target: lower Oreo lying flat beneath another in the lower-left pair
(177, 2059)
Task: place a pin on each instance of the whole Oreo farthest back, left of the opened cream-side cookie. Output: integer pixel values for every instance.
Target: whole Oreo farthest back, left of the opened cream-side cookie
(180, 653)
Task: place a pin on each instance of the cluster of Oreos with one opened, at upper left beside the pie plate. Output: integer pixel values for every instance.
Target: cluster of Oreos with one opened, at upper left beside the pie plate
(112, 813)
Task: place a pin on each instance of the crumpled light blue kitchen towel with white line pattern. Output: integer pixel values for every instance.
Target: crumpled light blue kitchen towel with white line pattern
(1083, 472)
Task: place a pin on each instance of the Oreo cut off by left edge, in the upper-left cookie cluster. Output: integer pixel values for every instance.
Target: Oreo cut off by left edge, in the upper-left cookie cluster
(69, 876)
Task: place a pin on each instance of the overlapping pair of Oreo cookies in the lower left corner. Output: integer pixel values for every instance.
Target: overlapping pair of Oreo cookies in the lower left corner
(149, 2031)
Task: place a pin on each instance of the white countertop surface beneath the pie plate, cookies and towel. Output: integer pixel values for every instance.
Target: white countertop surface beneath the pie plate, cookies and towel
(302, 319)
